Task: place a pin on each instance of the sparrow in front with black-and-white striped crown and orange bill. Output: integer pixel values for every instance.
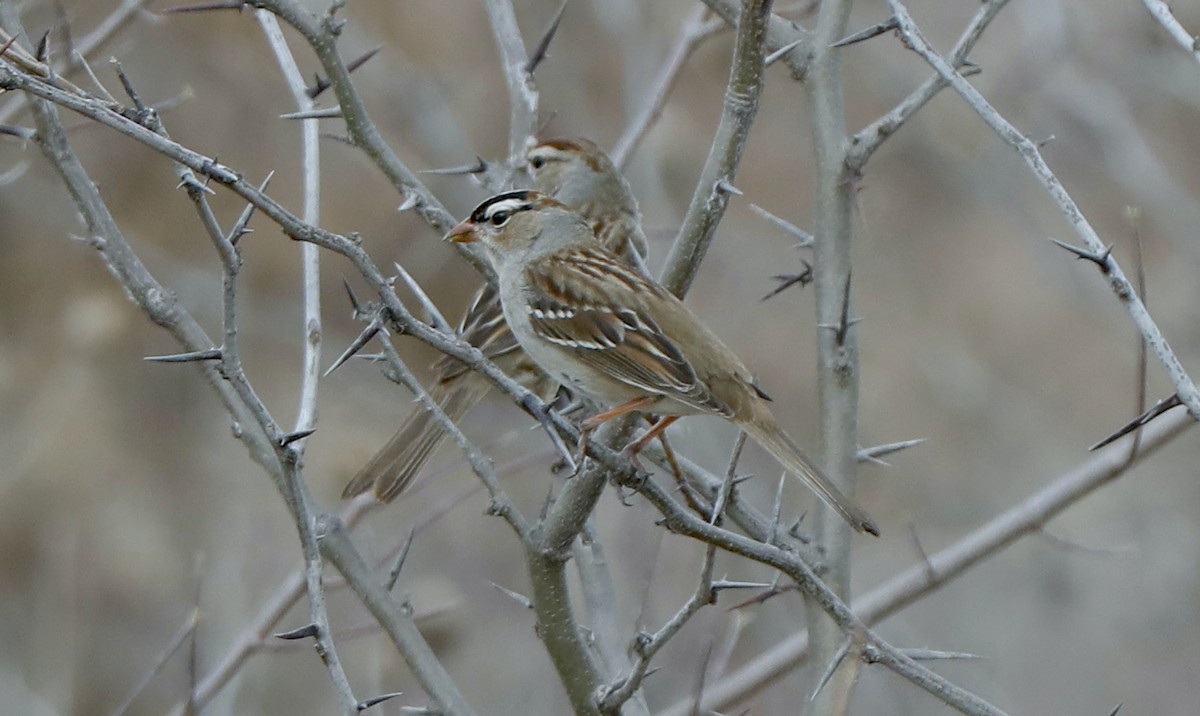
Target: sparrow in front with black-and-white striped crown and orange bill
(614, 335)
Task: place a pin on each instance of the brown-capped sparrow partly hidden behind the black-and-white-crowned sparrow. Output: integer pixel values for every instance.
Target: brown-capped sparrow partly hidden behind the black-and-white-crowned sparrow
(578, 173)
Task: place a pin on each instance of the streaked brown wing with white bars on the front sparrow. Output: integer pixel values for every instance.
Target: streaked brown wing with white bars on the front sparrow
(591, 304)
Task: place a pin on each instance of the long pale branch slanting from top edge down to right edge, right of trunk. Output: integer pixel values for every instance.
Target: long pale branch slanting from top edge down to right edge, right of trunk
(1029, 151)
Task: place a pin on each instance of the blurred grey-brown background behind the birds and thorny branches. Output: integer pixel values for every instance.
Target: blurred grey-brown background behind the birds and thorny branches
(125, 502)
